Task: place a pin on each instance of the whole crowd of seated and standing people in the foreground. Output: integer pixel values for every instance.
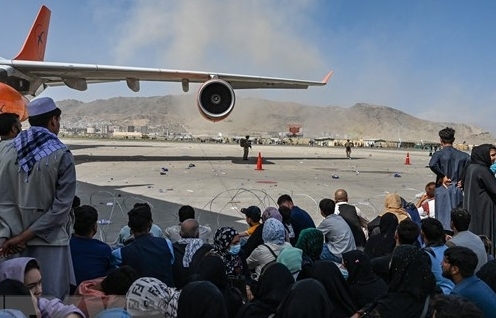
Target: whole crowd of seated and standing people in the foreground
(432, 258)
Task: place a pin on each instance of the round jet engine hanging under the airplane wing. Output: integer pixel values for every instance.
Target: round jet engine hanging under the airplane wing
(215, 99)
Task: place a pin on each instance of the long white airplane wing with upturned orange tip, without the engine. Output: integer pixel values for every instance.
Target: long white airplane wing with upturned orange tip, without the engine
(77, 76)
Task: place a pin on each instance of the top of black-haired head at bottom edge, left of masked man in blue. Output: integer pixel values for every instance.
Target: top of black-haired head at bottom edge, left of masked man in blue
(454, 306)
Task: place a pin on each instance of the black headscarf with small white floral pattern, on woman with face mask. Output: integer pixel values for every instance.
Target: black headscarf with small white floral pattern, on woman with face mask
(222, 239)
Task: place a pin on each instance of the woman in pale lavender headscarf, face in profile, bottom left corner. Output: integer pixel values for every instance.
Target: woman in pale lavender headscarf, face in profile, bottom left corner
(27, 271)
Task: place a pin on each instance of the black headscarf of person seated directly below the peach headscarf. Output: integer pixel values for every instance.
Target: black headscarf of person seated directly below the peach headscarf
(383, 243)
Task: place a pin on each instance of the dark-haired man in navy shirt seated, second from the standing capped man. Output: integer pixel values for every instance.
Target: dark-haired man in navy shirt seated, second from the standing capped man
(150, 256)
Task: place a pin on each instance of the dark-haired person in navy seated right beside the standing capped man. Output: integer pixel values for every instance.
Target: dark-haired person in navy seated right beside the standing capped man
(90, 257)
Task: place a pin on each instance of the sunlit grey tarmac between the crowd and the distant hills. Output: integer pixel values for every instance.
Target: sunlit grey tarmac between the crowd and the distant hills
(115, 174)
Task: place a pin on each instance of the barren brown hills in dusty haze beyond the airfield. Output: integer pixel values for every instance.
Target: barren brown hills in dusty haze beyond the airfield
(179, 114)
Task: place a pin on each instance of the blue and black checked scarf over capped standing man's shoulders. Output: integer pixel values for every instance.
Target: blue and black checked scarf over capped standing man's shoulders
(34, 144)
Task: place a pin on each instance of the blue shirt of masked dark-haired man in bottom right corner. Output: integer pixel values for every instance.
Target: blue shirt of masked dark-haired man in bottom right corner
(478, 292)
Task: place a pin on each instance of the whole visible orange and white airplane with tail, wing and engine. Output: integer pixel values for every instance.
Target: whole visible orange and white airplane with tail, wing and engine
(28, 74)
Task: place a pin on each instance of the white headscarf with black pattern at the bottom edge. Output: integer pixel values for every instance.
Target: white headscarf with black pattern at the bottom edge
(149, 296)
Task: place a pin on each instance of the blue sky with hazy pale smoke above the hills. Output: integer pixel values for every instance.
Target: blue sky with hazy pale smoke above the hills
(432, 59)
